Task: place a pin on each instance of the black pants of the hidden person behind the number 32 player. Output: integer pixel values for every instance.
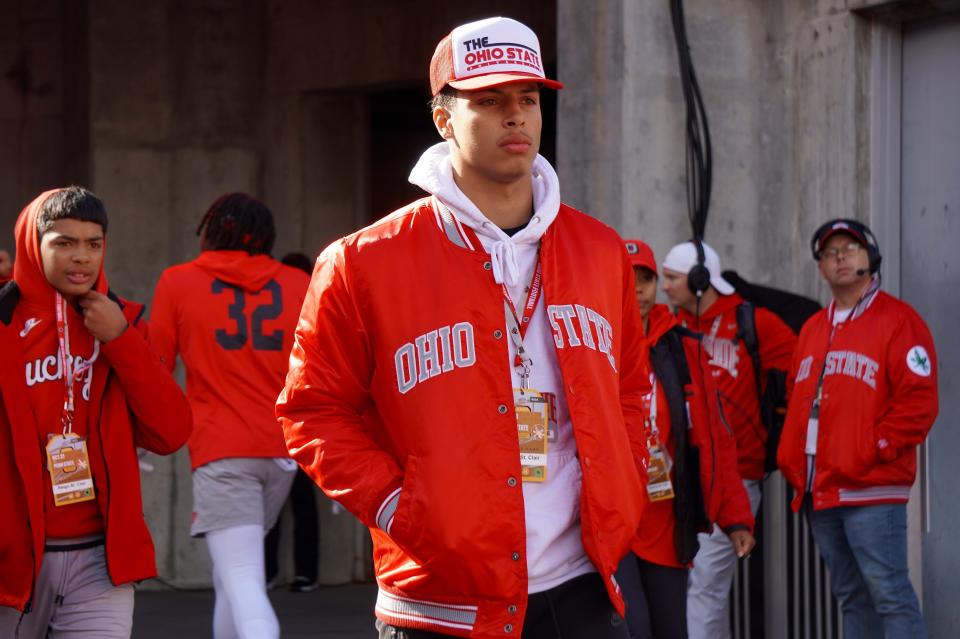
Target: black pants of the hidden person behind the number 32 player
(306, 531)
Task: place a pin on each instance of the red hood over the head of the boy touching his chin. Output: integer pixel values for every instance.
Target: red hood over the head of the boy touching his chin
(28, 267)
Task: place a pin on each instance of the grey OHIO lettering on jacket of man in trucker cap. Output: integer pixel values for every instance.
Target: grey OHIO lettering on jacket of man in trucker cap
(433, 353)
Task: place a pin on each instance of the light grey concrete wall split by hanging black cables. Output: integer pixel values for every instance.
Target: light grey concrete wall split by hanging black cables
(785, 86)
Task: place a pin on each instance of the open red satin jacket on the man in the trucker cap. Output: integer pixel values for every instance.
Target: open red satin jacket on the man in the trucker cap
(363, 421)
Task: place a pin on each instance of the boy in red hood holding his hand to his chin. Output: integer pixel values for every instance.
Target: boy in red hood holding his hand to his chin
(81, 391)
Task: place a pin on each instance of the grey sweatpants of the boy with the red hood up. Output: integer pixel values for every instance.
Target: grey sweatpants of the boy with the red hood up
(73, 599)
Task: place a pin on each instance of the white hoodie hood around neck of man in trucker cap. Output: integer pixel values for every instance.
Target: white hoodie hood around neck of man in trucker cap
(434, 174)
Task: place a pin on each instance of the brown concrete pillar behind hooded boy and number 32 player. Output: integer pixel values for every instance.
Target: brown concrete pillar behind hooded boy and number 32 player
(175, 121)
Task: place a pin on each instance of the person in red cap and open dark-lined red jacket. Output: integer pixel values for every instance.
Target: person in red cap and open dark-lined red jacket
(697, 483)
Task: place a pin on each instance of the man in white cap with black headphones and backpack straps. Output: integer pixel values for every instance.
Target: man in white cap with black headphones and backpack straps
(715, 315)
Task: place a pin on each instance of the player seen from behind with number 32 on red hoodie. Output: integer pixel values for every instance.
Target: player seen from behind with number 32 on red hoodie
(230, 314)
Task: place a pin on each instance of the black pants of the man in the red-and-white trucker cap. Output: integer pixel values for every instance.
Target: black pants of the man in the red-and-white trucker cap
(577, 609)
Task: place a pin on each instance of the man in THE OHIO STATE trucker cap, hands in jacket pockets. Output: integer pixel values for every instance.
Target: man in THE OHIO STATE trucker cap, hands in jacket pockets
(468, 372)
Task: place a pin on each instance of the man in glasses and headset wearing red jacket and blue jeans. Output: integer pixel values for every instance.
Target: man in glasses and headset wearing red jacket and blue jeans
(863, 397)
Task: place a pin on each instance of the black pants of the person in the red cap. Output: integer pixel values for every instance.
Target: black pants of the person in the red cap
(656, 598)
